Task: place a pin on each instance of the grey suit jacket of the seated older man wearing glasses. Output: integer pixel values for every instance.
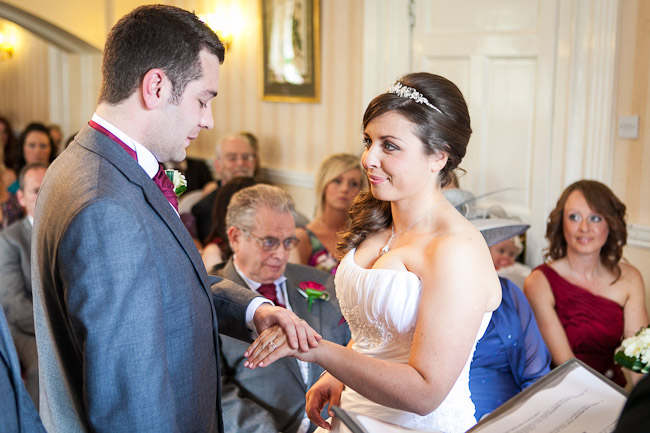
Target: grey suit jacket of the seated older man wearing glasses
(272, 399)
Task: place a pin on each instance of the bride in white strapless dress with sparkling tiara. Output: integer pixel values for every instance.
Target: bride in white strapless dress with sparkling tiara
(417, 285)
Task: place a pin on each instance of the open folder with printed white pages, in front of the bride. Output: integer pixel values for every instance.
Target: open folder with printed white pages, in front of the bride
(572, 398)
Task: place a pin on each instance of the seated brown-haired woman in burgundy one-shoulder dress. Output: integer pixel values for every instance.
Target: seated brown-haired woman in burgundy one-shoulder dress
(584, 298)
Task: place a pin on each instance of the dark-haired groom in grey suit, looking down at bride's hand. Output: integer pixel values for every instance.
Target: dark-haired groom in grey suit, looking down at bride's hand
(126, 327)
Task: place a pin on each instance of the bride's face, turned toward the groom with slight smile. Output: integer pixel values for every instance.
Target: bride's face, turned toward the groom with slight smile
(394, 158)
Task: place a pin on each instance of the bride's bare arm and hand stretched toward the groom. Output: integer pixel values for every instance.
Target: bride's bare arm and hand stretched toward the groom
(455, 296)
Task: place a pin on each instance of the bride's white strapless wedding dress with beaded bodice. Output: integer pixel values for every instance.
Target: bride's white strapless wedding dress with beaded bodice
(381, 308)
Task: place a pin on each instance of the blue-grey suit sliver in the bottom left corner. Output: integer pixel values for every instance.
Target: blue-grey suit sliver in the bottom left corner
(17, 411)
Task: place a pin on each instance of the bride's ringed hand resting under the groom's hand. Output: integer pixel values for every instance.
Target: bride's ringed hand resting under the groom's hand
(271, 345)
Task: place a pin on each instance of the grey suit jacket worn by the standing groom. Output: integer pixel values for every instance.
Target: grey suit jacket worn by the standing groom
(125, 321)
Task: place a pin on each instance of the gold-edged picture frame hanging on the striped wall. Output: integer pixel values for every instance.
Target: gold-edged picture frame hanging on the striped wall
(290, 50)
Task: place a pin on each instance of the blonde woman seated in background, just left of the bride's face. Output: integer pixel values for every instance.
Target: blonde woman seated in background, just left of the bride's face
(338, 182)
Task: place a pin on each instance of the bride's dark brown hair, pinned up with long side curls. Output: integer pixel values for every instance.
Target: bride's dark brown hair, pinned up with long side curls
(447, 130)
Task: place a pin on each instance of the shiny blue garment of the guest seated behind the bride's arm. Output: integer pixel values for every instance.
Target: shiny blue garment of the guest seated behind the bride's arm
(511, 356)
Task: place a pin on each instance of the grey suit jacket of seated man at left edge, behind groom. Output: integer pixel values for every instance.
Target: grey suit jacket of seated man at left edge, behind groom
(15, 277)
